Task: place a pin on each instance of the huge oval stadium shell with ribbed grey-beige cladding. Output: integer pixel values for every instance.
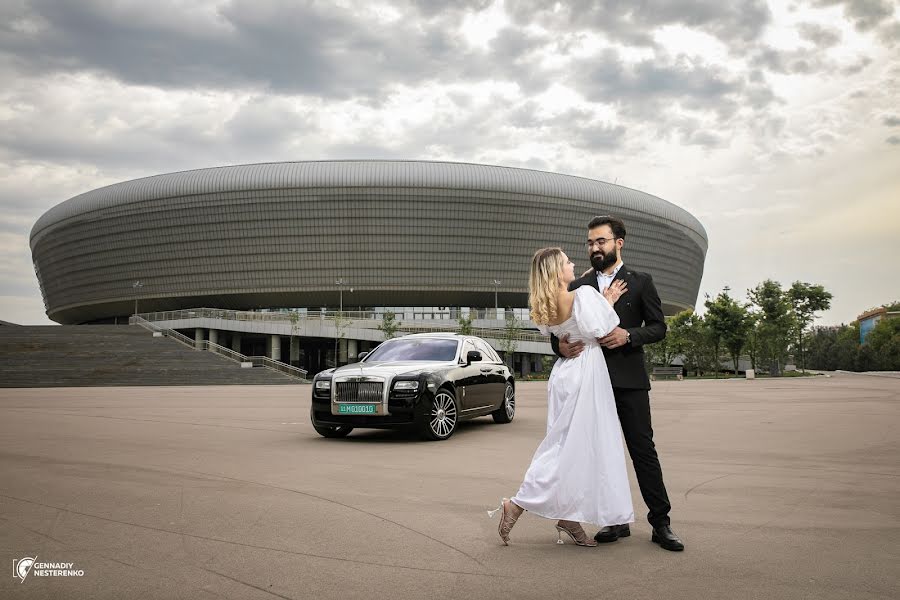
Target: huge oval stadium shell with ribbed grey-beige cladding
(402, 233)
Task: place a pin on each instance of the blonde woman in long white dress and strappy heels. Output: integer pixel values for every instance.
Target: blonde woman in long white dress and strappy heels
(578, 472)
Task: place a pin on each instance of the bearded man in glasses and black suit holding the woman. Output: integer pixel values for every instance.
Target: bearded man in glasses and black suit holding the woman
(641, 322)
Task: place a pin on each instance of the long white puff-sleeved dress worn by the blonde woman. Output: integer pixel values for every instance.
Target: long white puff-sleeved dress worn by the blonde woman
(578, 472)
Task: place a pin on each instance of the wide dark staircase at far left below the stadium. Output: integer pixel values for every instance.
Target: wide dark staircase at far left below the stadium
(112, 355)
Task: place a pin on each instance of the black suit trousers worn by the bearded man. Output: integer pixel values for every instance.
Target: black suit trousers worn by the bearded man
(633, 407)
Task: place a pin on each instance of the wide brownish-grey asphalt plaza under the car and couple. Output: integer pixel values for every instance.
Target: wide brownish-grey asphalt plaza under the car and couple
(781, 489)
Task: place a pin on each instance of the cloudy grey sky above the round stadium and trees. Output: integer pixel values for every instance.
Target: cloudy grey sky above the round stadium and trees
(777, 124)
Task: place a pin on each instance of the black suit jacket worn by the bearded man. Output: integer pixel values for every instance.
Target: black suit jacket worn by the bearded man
(640, 313)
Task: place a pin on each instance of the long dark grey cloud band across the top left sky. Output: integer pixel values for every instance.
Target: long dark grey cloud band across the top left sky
(268, 44)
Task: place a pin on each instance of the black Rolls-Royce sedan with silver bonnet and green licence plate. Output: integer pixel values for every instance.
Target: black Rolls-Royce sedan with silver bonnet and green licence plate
(426, 381)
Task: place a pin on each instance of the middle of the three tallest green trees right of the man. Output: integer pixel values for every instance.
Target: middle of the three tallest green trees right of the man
(774, 323)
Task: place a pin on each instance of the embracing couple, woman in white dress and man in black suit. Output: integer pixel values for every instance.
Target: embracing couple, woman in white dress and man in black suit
(597, 389)
